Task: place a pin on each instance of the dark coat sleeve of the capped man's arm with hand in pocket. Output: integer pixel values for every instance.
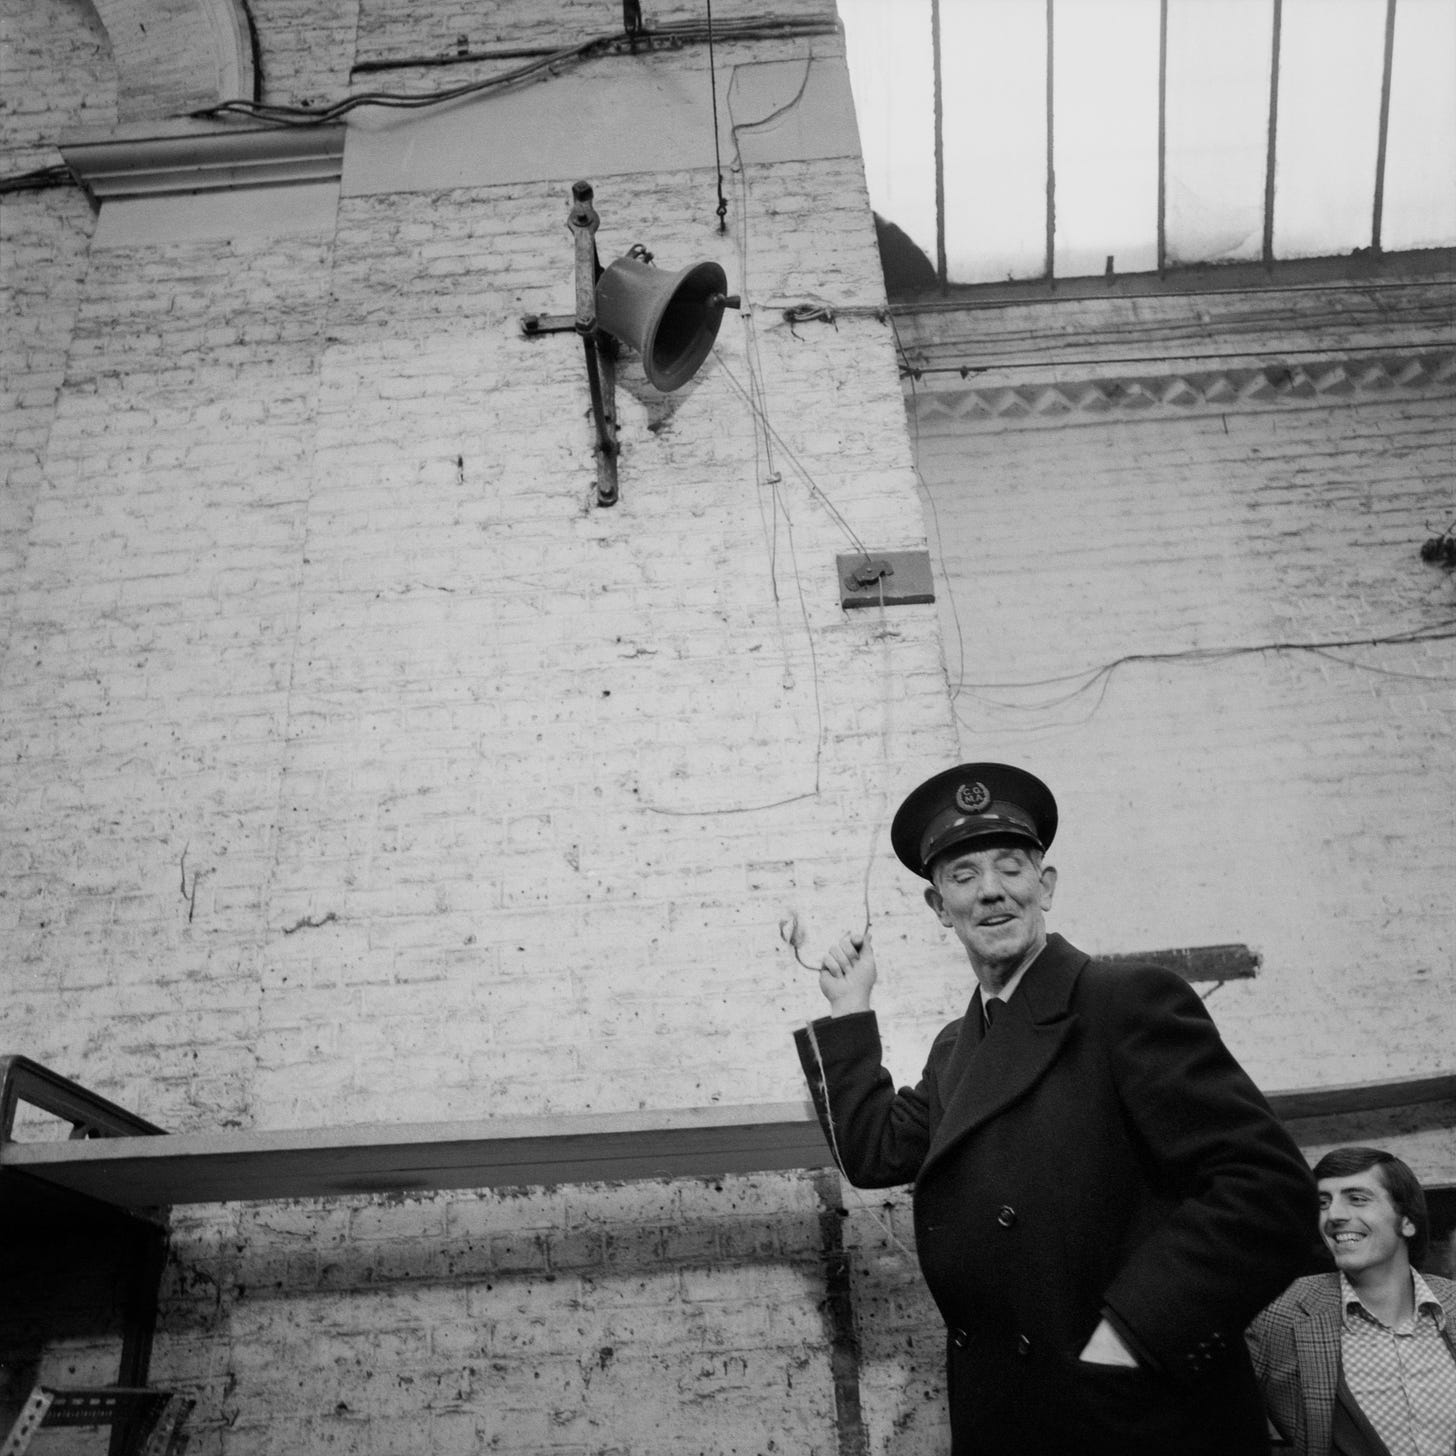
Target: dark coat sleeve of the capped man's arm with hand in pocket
(1241, 1200)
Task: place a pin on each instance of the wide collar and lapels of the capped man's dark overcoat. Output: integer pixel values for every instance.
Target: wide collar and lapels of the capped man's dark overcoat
(986, 1075)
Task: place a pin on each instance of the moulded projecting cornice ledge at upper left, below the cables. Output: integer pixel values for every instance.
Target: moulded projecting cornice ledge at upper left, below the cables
(170, 158)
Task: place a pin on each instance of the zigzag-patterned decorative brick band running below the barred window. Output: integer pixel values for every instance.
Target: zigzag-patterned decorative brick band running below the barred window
(1187, 391)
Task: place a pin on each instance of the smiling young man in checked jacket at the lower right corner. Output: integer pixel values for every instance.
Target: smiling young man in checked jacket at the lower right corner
(1362, 1362)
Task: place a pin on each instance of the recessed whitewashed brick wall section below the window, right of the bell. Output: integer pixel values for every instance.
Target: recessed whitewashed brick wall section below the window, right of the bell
(1145, 602)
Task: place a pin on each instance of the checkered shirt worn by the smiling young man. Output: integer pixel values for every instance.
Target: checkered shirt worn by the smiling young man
(1404, 1378)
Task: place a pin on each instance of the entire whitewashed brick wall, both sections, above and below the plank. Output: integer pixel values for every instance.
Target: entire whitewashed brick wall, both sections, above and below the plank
(357, 767)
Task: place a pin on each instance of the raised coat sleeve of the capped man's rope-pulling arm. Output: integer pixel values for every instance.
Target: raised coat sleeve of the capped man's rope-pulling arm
(879, 1136)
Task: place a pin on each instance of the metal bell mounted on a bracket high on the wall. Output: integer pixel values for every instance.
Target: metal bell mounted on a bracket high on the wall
(670, 320)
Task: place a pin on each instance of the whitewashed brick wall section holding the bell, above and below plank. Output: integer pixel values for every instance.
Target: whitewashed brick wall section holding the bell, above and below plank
(360, 768)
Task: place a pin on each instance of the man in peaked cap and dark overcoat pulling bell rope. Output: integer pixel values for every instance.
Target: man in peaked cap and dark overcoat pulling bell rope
(1103, 1199)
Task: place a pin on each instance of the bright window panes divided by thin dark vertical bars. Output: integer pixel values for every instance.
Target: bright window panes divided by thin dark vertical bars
(1142, 183)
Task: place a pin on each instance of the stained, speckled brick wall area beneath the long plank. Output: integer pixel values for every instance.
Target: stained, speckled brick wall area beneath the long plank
(633, 1318)
